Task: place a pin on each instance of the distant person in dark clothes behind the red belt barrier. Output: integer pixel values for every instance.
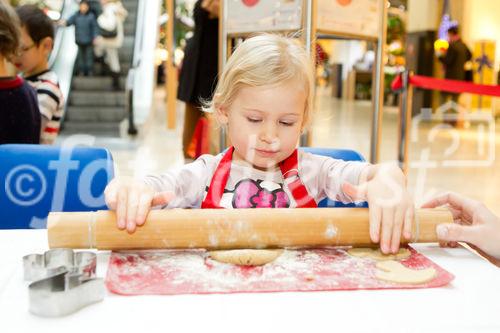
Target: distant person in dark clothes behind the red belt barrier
(454, 60)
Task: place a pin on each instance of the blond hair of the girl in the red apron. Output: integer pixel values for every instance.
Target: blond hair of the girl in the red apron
(262, 60)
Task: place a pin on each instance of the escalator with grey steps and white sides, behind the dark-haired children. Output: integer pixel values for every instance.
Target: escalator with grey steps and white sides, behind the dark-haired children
(92, 106)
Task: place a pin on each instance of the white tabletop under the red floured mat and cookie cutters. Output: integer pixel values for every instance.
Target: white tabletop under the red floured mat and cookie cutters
(471, 303)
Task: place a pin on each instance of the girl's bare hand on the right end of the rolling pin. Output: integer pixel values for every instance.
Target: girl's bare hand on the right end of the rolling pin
(391, 207)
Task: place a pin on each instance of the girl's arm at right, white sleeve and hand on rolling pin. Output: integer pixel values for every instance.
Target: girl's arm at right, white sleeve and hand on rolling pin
(382, 186)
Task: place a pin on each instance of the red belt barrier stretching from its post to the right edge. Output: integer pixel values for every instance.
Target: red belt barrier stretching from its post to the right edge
(452, 86)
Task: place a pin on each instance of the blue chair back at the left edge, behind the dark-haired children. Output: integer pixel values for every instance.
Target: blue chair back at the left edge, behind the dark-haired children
(39, 179)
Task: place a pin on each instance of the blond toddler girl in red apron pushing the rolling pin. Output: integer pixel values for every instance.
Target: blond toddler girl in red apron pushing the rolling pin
(264, 99)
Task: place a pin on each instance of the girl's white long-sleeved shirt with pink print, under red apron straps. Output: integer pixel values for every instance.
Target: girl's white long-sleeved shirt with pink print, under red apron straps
(249, 187)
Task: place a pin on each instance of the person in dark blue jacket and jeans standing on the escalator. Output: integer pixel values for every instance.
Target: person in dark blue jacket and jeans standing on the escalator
(85, 33)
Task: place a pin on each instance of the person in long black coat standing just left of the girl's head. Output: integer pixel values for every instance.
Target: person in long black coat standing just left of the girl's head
(198, 76)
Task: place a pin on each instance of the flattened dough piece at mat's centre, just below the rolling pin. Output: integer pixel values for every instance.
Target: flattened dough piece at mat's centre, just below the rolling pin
(246, 257)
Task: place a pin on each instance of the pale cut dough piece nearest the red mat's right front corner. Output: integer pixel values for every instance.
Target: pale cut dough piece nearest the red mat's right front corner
(393, 271)
